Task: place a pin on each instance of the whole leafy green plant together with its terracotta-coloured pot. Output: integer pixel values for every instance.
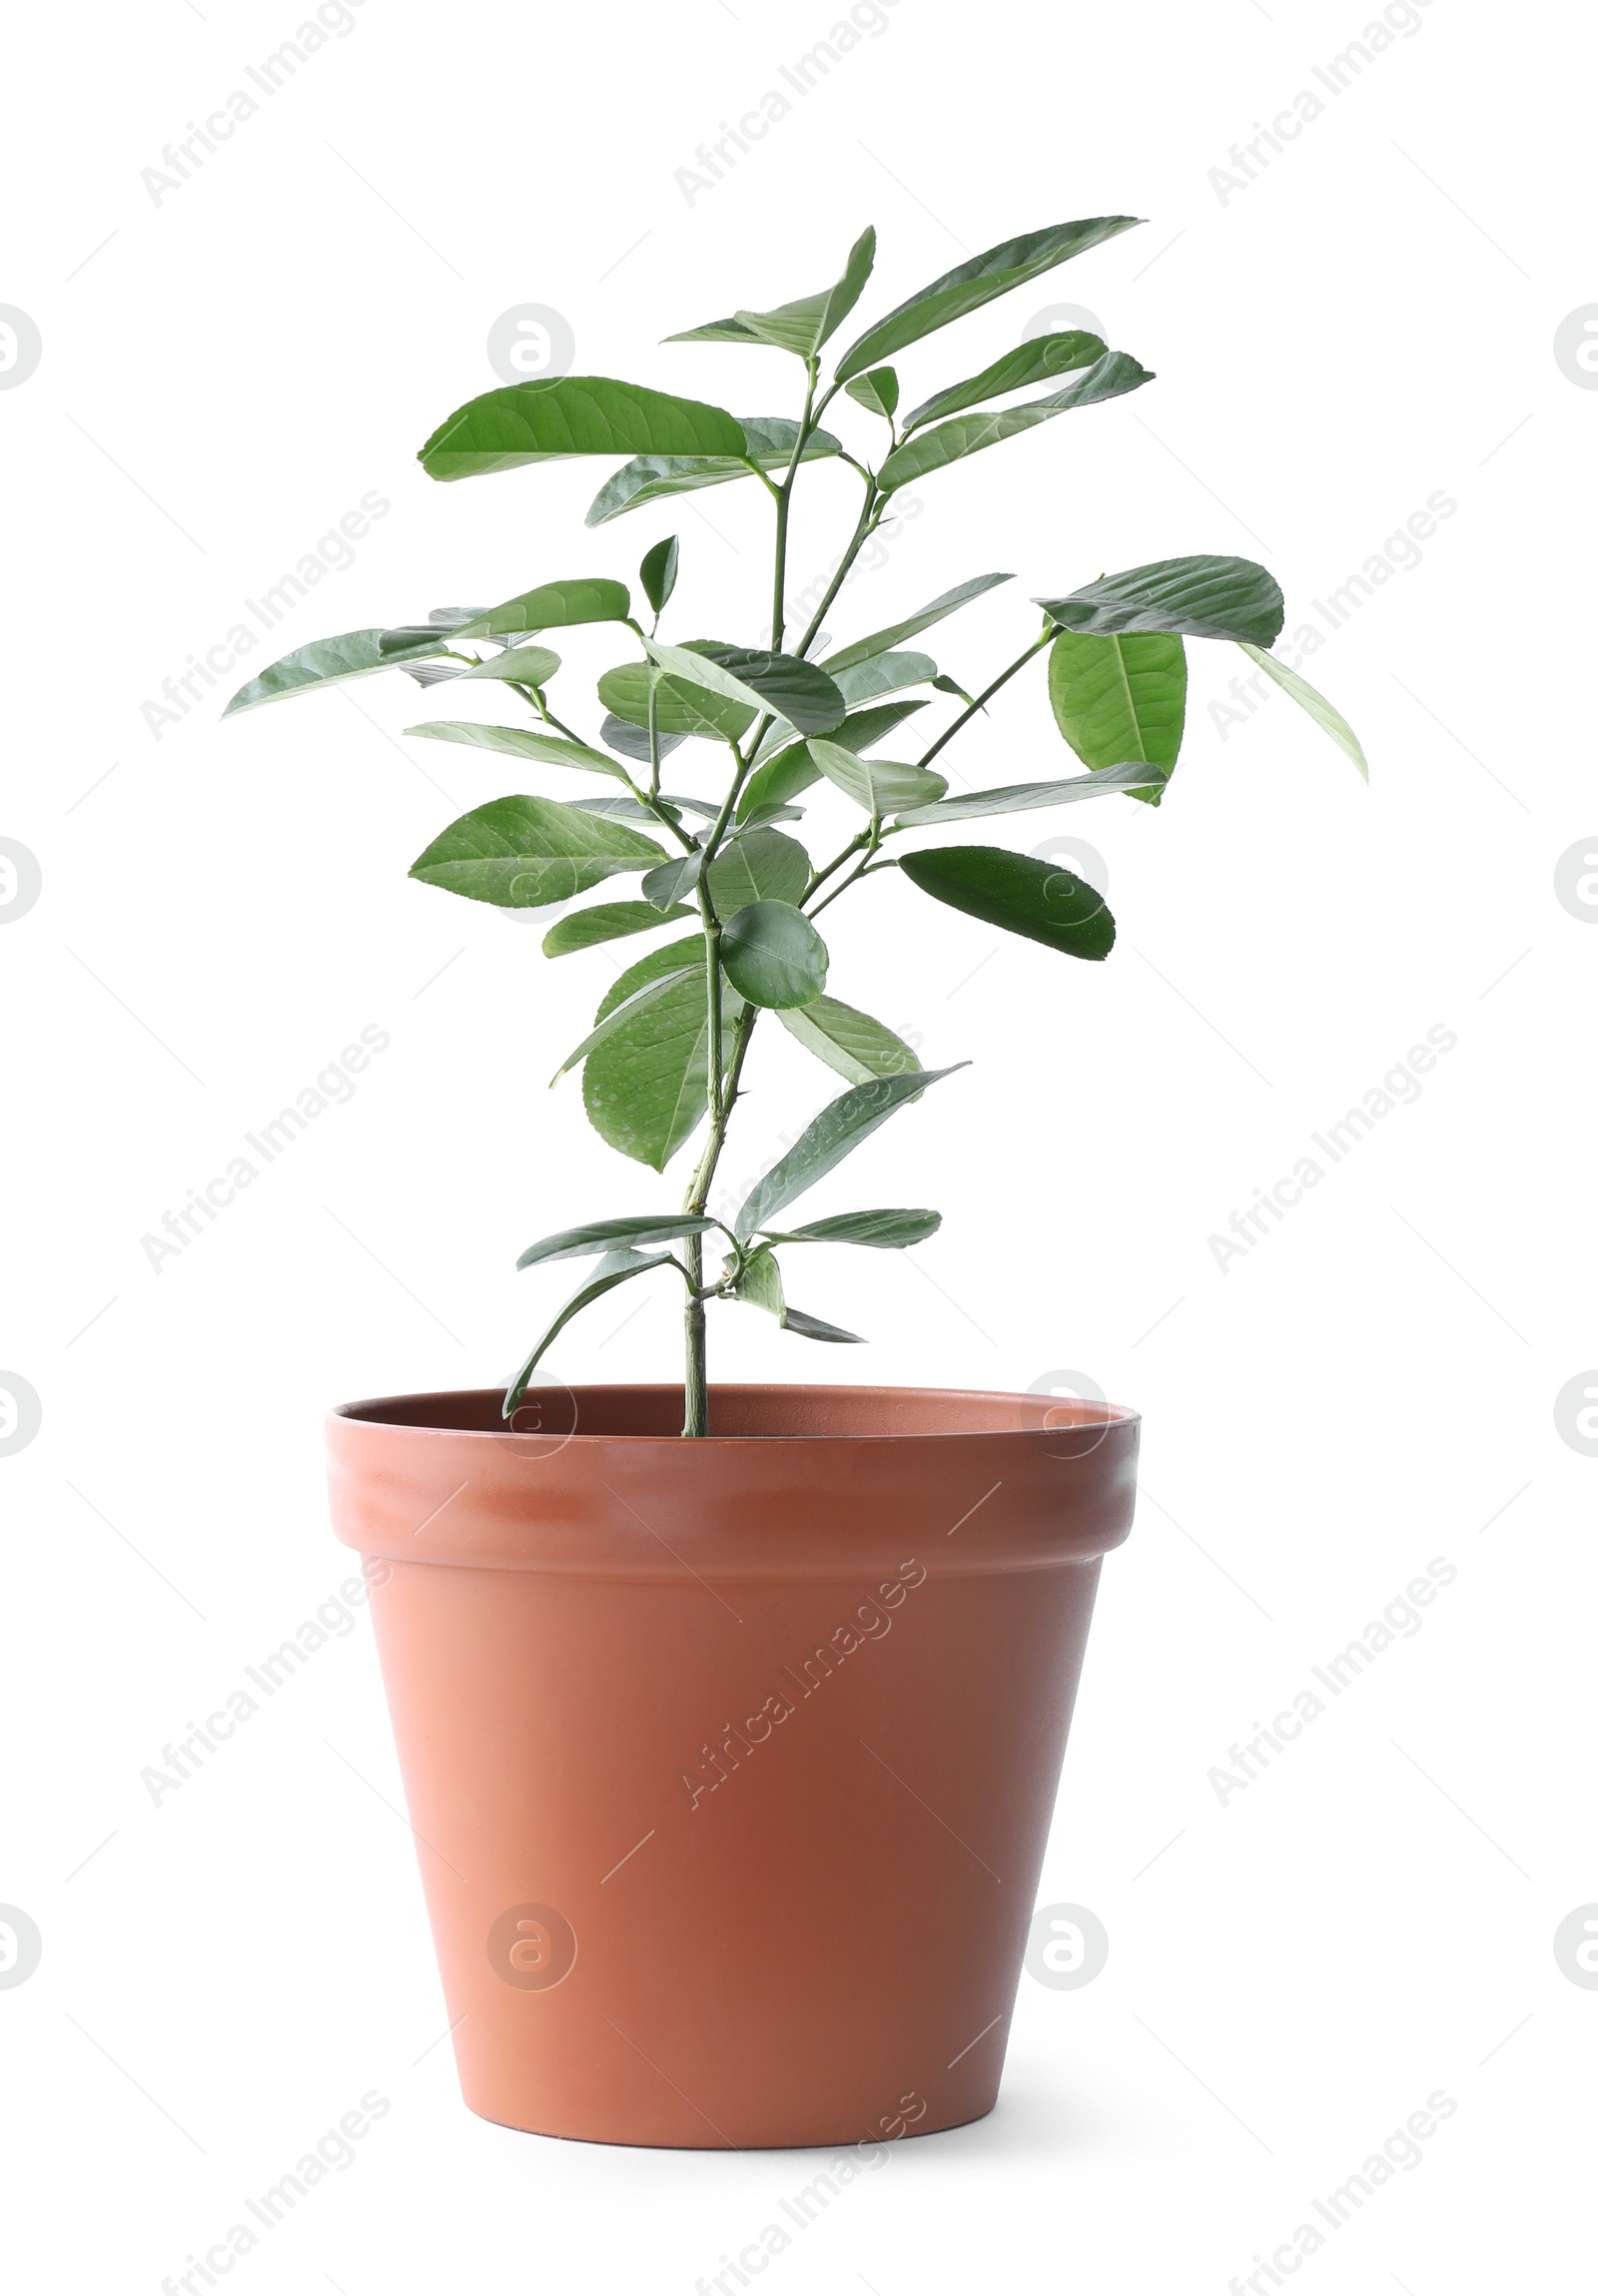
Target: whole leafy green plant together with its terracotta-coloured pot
(731, 1719)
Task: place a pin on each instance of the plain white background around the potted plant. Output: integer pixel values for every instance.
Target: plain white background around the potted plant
(1360, 327)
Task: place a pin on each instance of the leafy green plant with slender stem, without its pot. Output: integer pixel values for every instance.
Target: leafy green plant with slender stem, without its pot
(713, 745)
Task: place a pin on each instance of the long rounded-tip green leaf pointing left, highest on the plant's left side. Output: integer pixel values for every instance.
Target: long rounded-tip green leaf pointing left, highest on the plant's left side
(573, 414)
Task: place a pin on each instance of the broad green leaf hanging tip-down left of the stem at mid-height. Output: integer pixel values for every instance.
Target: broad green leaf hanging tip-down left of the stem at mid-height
(646, 1087)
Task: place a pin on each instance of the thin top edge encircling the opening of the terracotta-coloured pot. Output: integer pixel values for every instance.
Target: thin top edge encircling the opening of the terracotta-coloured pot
(1034, 1413)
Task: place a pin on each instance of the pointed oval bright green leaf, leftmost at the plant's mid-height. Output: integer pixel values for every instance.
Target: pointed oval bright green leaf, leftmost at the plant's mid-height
(522, 853)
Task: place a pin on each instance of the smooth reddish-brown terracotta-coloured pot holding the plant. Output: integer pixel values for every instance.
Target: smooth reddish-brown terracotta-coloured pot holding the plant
(731, 1762)
